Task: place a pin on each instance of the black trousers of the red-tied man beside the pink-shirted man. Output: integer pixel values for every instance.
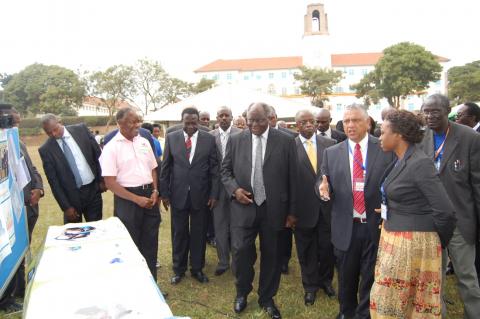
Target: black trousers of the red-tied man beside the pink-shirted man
(189, 229)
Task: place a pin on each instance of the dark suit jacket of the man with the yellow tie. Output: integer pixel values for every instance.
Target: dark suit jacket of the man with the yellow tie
(308, 203)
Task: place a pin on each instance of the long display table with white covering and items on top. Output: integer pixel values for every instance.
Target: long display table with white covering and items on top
(93, 270)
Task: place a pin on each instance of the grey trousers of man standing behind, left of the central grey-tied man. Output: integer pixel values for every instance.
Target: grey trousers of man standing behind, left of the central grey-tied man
(221, 222)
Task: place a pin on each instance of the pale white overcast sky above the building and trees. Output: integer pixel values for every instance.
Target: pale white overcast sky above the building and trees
(184, 35)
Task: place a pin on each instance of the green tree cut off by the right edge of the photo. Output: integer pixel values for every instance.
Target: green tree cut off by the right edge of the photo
(464, 82)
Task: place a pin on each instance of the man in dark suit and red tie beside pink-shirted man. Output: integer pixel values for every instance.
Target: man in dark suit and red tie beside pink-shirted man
(189, 183)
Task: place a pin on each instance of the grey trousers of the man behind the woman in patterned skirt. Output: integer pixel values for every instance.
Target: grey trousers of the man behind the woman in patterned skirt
(462, 256)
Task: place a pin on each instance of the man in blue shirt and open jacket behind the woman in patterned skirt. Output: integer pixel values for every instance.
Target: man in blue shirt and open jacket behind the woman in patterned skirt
(455, 150)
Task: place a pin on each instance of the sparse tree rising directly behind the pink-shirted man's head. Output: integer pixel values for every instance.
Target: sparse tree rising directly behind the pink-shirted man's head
(115, 84)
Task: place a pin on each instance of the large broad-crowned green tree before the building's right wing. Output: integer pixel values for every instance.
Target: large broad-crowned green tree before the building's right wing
(405, 69)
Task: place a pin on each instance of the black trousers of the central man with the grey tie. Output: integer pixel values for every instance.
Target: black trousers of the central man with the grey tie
(244, 256)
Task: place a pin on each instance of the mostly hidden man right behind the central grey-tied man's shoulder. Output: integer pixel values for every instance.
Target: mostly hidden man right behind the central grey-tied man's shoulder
(285, 244)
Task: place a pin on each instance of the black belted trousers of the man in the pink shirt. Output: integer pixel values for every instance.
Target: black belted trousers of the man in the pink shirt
(142, 225)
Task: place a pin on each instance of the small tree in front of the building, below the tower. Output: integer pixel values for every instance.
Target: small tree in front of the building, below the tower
(317, 83)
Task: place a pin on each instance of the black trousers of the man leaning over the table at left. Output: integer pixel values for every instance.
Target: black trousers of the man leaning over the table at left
(91, 204)
